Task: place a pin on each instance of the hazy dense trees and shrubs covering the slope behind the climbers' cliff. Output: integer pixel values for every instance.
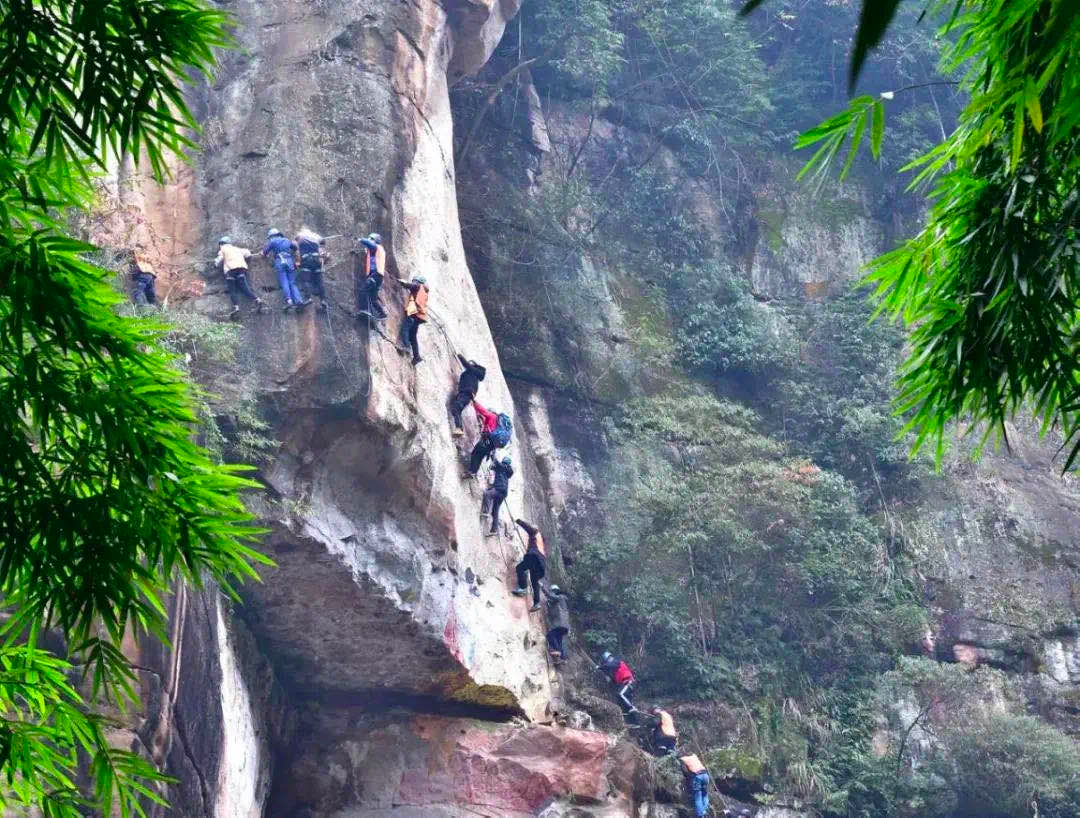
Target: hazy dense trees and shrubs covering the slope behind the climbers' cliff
(749, 558)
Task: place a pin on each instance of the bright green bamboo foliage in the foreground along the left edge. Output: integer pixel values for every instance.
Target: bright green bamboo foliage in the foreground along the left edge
(105, 501)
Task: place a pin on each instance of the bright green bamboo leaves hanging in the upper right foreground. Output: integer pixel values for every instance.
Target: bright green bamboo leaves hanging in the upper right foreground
(992, 284)
